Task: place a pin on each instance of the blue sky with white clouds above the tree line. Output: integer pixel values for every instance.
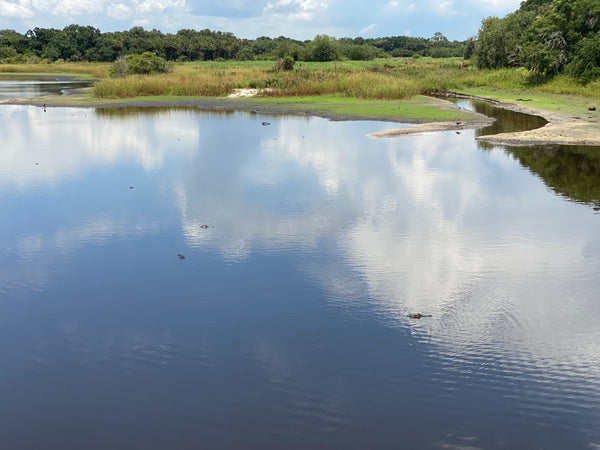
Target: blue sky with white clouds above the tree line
(298, 19)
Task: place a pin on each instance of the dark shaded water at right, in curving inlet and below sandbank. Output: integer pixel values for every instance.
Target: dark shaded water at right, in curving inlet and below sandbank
(573, 172)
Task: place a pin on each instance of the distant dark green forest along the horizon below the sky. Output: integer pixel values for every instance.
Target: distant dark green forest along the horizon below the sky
(86, 43)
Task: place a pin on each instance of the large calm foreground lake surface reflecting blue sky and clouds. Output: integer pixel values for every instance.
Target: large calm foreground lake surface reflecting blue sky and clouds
(177, 278)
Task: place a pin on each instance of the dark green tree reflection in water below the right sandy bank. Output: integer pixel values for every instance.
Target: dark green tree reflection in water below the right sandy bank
(570, 171)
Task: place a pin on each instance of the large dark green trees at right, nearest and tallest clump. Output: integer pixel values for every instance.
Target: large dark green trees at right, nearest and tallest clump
(548, 37)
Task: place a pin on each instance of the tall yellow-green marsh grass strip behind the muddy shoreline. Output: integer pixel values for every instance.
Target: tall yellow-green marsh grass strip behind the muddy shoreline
(387, 79)
